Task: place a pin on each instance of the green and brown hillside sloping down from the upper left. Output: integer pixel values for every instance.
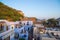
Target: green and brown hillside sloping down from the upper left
(9, 13)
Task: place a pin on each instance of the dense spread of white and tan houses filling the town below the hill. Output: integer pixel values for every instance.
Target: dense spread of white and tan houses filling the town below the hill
(28, 29)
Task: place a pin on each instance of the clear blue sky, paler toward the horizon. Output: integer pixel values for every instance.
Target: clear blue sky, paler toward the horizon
(36, 8)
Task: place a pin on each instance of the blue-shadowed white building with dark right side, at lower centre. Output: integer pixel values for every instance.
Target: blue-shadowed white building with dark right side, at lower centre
(25, 32)
